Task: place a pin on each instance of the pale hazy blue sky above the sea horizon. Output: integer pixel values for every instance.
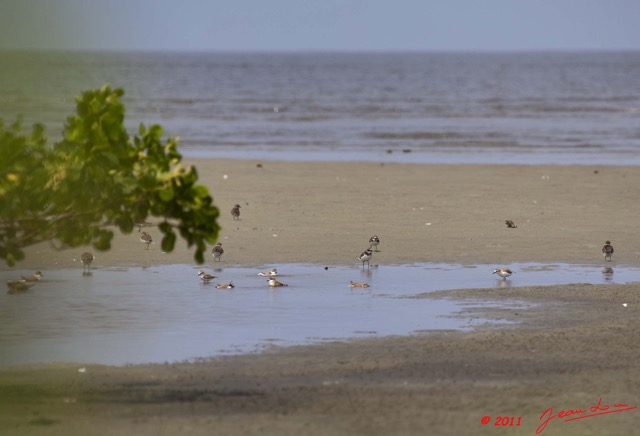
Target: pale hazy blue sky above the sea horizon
(267, 25)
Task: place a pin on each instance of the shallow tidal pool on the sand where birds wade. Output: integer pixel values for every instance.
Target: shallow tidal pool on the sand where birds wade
(165, 313)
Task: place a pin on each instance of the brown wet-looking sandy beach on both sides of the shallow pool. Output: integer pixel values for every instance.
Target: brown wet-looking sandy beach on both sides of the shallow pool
(579, 344)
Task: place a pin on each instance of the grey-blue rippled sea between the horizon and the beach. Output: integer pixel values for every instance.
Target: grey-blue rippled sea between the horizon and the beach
(555, 108)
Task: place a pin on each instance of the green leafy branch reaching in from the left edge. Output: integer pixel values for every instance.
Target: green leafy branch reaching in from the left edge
(95, 179)
